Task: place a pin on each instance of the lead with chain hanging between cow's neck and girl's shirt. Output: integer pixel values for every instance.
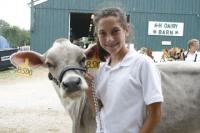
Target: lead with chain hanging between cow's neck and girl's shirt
(97, 110)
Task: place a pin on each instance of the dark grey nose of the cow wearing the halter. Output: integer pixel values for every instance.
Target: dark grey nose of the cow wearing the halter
(72, 84)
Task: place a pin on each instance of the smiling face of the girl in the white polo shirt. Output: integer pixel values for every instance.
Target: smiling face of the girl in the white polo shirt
(111, 35)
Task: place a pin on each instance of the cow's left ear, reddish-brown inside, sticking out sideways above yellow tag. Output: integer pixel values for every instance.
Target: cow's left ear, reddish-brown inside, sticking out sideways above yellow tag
(34, 59)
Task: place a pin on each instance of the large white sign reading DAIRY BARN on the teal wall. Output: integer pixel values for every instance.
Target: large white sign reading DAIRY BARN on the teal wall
(165, 28)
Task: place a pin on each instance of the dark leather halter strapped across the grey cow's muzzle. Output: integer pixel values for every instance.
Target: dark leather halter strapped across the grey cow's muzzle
(67, 68)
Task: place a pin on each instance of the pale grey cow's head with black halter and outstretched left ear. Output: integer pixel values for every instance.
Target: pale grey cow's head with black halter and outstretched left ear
(66, 64)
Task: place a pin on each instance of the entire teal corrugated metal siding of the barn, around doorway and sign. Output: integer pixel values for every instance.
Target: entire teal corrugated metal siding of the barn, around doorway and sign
(52, 19)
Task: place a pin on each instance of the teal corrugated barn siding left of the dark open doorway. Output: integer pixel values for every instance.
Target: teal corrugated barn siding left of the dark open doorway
(49, 25)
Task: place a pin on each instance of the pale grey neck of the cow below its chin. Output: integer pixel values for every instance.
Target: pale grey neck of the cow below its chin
(83, 120)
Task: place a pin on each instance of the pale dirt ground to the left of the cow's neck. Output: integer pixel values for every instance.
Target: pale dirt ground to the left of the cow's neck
(30, 105)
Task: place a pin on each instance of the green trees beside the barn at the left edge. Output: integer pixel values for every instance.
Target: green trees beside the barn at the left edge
(15, 36)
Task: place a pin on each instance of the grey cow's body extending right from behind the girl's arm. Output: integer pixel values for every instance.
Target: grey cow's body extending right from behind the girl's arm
(181, 90)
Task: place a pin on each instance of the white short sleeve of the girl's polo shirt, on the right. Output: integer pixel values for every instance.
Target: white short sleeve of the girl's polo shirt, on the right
(151, 82)
